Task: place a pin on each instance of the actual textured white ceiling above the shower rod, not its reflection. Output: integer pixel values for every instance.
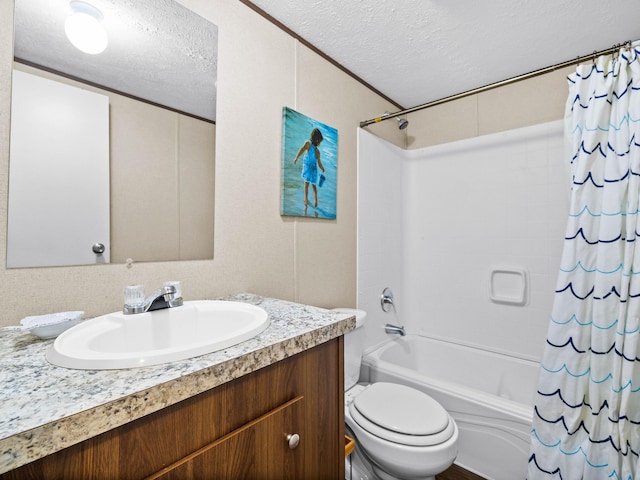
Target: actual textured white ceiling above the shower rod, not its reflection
(417, 51)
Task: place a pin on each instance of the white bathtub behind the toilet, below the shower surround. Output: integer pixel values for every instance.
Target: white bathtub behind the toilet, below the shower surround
(489, 395)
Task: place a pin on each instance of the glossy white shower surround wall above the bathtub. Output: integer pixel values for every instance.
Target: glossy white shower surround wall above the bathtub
(434, 223)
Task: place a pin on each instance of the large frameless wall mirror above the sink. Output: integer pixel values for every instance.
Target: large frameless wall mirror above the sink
(158, 76)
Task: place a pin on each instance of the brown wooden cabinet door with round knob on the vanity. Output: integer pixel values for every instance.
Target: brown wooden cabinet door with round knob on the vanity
(259, 450)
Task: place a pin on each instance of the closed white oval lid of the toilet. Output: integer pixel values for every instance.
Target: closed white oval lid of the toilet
(401, 409)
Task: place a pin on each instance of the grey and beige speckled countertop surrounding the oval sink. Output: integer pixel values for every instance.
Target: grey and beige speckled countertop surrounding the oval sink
(45, 408)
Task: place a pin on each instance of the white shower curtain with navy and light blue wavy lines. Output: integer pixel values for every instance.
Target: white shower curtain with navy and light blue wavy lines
(587, 409)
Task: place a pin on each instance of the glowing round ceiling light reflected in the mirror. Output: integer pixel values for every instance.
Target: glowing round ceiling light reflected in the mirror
(84, 28)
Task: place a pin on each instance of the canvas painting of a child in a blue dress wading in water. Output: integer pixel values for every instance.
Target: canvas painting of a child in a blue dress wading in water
(309, 166)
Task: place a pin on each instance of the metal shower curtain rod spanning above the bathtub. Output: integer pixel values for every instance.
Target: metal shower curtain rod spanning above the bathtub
(491, 86)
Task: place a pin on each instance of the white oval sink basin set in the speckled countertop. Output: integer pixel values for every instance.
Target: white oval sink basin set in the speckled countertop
(125, 341)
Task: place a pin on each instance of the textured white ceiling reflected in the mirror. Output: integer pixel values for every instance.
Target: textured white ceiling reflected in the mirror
(158, 50)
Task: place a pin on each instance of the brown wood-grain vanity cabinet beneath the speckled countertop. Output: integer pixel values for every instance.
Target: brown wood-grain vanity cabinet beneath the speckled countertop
(242, 429)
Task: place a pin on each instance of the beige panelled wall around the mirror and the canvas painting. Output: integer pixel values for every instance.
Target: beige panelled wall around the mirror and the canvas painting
(261, 69)
